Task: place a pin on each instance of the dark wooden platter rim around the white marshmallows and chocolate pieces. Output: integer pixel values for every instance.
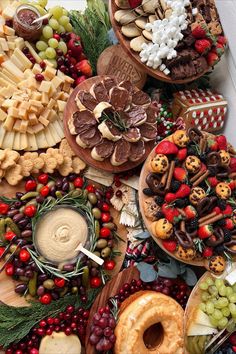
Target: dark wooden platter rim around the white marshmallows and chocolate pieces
(125, 42)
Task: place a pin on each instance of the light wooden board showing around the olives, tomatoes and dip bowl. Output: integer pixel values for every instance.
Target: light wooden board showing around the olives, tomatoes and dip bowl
(7, 284)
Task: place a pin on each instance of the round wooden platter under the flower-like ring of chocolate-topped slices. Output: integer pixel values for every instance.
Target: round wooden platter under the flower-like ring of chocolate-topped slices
(85, 154)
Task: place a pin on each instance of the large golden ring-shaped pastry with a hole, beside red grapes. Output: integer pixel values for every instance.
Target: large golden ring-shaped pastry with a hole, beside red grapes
(137, 315)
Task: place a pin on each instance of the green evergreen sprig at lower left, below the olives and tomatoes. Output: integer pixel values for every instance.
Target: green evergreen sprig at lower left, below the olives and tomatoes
(16, 322)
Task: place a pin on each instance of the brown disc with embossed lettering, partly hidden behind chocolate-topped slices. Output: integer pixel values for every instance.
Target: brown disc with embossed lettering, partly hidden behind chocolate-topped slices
(115, 61)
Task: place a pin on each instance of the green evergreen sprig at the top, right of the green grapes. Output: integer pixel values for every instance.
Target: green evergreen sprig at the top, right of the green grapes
(92, 26)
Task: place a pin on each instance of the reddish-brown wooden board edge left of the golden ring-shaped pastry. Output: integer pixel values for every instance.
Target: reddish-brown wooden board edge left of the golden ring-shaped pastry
(109, 290)
